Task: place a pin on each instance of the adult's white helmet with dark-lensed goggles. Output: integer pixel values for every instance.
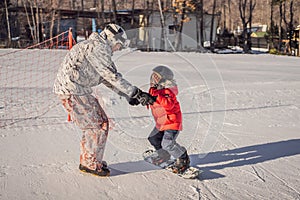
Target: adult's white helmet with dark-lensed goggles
(116, 34)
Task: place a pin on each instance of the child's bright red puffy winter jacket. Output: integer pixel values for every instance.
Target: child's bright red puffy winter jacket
(166, 110)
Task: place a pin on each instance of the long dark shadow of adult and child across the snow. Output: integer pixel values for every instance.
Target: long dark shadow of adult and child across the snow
(242, 156)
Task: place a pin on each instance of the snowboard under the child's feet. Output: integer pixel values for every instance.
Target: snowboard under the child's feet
(189, 173)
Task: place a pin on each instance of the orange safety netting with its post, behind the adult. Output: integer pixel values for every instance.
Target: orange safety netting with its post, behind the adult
(27, 77)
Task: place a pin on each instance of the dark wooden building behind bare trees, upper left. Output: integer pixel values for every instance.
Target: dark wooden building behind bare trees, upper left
(24, 25)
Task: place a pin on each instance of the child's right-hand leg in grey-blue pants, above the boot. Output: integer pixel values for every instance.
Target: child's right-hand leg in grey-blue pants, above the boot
(169, 144)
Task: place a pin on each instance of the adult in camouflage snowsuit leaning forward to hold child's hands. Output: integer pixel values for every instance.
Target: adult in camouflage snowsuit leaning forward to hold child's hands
(86, 65)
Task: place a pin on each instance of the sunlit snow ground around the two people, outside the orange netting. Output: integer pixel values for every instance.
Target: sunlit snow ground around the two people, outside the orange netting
(241, 127)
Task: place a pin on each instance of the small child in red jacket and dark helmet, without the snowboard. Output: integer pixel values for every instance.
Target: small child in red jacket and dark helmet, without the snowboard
(167, 115)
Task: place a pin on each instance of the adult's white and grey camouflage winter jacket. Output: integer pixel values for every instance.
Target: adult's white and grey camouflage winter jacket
(89, 64)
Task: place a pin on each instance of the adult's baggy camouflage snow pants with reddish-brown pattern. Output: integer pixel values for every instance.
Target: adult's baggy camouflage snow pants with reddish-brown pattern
(89, 116)
